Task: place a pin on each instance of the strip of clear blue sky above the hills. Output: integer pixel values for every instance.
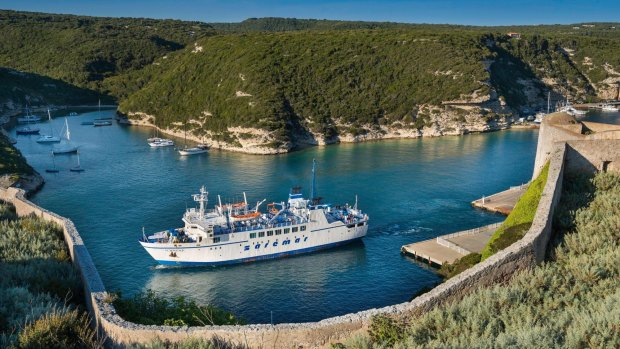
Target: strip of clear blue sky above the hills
(476, 12)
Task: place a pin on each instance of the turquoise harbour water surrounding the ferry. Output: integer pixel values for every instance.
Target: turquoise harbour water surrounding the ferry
(412, 190)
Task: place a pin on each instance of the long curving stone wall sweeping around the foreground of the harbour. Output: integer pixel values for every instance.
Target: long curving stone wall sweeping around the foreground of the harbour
(500, 267)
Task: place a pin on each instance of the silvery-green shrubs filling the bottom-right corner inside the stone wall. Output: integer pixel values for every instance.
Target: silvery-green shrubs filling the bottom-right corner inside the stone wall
(572, 300)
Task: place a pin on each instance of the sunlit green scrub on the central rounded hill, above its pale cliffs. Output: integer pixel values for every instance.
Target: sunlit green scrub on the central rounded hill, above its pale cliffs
(275, 81)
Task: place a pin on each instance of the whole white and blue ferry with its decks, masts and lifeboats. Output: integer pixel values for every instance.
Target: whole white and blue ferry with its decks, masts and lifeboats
(237, 233)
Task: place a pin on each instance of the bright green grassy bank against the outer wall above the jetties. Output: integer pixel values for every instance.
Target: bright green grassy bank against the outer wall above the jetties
(520, 219)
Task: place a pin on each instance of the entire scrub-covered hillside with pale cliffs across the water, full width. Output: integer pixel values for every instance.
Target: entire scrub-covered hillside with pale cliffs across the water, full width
(303, 81)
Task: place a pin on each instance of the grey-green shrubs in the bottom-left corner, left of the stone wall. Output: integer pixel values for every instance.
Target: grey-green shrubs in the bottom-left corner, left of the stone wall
(40, 291)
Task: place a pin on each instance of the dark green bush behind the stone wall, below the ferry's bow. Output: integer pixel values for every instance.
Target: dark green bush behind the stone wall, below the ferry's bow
(150, 309)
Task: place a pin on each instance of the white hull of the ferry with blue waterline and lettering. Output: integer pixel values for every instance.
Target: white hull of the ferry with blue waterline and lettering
(241, 249)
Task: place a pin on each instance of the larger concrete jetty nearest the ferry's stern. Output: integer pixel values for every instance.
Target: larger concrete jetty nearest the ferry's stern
(450, 247)
